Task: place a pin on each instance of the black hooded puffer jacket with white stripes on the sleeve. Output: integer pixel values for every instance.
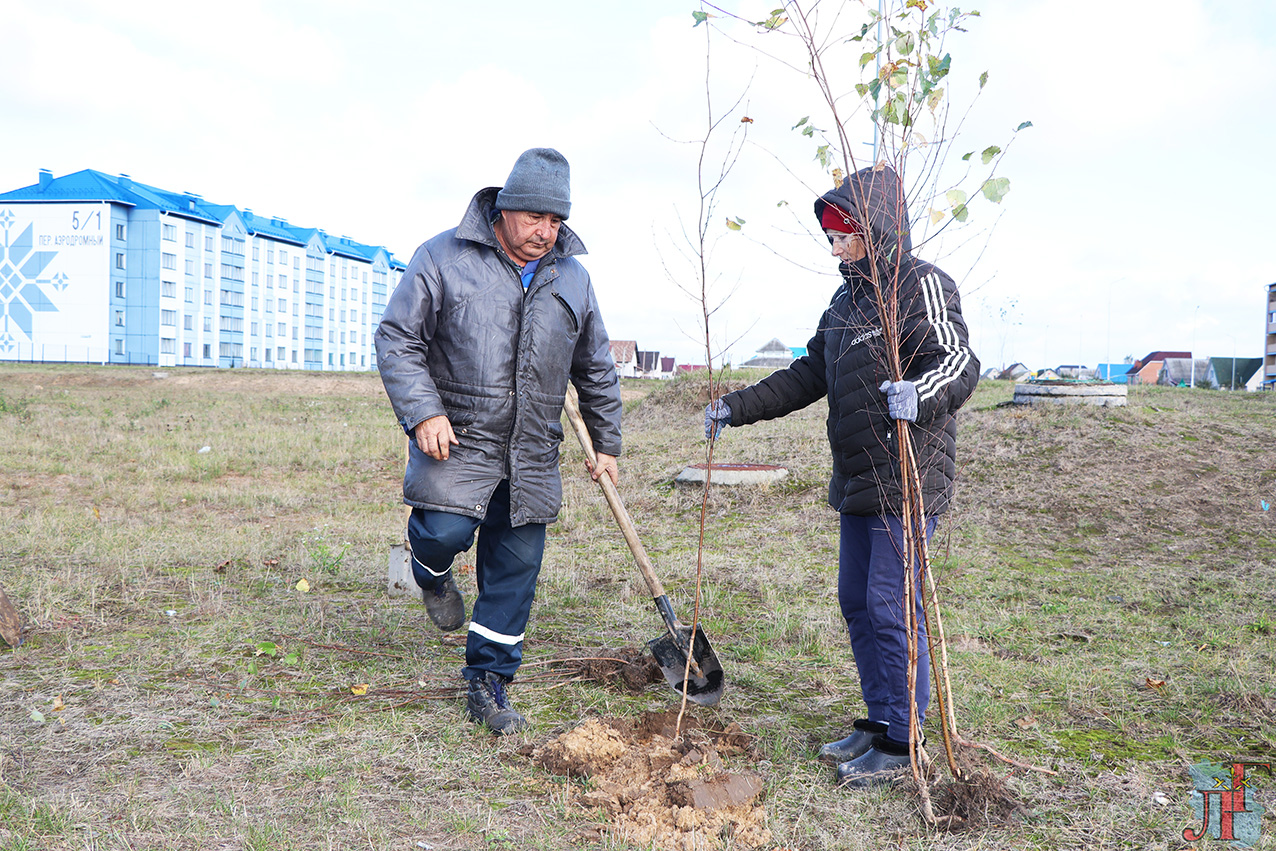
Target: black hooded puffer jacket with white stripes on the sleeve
(848, 363)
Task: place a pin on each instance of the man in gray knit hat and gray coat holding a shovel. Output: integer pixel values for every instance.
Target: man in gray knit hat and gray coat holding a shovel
(477, 348)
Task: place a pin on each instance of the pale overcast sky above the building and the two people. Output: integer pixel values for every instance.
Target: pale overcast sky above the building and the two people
(1138, 219)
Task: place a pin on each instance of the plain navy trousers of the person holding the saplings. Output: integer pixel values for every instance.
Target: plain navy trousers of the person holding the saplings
(871, 591)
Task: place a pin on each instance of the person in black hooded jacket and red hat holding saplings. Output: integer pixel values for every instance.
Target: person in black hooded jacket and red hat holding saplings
(847, 362)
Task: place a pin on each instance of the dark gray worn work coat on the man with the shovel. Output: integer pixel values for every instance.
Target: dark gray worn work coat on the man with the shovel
(460, 337)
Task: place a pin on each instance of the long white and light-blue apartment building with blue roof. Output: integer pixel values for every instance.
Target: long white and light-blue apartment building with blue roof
(100, 269)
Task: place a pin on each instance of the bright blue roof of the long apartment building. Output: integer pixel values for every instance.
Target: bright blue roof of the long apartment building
(93, 186)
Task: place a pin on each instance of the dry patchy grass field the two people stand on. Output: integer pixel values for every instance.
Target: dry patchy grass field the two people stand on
(1108, 577)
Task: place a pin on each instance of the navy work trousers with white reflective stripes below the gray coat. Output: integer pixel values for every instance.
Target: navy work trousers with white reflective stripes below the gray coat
(507, 563)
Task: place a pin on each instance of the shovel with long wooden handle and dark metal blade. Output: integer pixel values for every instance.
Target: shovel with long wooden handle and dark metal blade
(704, 683)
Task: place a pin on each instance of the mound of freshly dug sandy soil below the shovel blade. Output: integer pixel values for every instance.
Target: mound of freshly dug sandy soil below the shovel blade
(660, 792)
